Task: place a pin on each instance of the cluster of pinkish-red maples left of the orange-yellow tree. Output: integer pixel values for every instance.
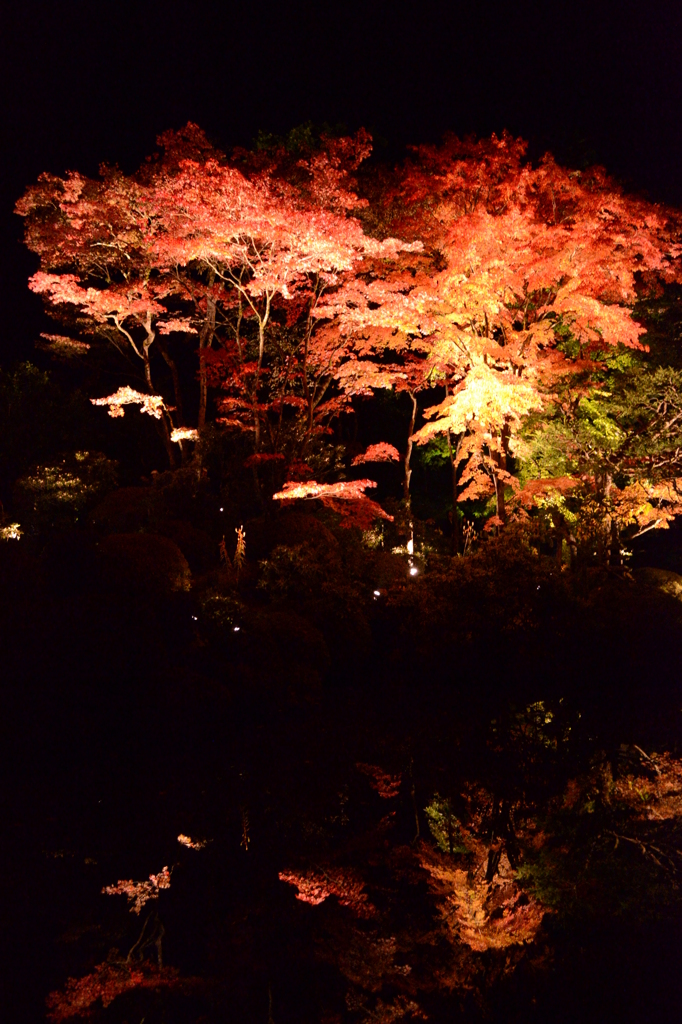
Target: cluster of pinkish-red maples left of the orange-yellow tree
(199, 245)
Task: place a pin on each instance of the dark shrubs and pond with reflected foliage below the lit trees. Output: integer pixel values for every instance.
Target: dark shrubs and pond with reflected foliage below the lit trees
(471, 775)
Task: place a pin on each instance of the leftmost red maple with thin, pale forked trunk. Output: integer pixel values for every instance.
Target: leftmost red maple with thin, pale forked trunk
(98, 268)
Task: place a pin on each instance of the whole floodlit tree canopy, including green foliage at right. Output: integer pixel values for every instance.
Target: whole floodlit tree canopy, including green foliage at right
(498, 296)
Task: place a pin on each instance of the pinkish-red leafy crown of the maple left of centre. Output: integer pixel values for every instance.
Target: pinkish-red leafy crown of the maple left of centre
(280, 235)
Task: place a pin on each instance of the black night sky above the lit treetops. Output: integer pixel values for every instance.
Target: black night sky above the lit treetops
(82, 83)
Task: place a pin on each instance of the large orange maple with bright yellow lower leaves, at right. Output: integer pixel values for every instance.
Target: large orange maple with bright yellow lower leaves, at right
(522, 259)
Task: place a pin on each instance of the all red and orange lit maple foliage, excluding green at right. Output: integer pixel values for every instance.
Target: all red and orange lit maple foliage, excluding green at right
(463, 271)
